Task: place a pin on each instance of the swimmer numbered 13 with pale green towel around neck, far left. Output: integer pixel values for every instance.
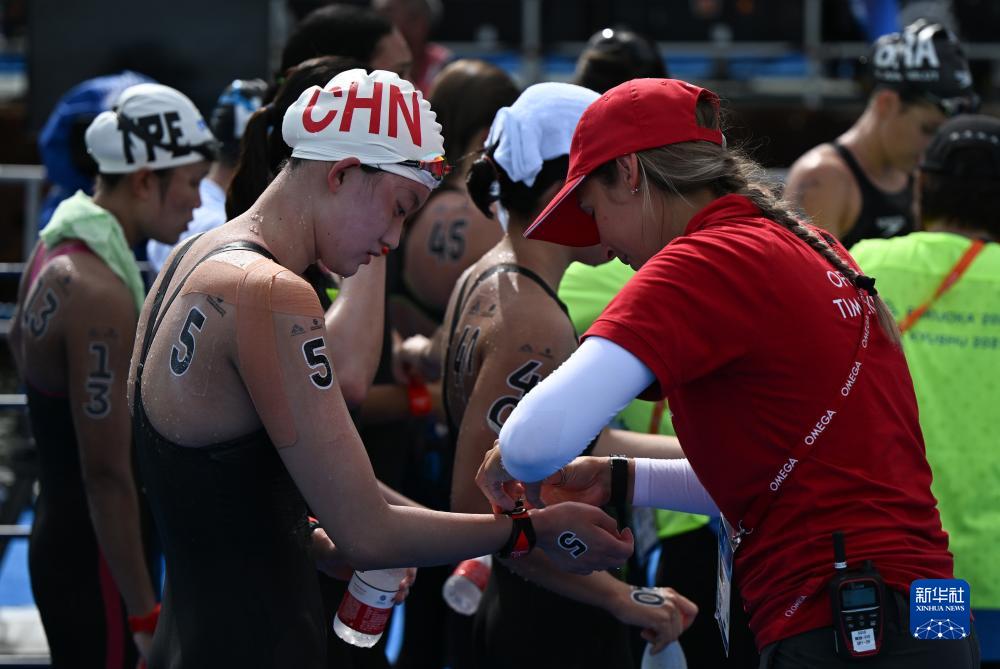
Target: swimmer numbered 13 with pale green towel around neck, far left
(72, 334)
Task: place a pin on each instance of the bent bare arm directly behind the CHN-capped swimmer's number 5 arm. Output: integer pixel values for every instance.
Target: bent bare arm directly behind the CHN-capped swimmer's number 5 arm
(354, 324)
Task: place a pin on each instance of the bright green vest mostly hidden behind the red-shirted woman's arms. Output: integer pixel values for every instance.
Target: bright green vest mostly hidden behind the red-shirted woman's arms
(586, 291)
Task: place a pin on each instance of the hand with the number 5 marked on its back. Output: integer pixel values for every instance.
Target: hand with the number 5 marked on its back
(580, 538)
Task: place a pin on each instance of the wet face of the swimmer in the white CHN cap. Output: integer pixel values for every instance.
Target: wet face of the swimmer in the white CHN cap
(367, 213)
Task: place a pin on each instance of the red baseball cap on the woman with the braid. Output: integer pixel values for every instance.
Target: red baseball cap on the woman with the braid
(637, 115)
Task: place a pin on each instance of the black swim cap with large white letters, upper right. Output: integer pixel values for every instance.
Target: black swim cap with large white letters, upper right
(925, 61)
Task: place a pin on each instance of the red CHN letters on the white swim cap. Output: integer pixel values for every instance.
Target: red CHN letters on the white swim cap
(396, 105)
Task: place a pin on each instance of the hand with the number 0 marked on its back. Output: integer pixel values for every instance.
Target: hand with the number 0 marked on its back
(662, 613)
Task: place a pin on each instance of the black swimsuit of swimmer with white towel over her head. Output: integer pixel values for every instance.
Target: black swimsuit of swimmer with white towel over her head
(520, 624)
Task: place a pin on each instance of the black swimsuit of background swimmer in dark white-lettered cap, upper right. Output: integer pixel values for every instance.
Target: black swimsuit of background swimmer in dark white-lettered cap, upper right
(882, 214)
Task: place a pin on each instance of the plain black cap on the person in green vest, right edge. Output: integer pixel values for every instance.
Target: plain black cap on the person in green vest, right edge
(966, 146)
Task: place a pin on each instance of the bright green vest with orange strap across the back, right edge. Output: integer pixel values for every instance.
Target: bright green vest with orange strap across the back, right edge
(953, 353)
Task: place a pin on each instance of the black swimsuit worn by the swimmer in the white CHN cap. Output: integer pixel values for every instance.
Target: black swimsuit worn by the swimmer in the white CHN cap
(241, 588)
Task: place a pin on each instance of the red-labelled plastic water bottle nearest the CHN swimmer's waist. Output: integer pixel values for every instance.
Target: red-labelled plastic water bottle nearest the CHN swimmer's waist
(365, 608)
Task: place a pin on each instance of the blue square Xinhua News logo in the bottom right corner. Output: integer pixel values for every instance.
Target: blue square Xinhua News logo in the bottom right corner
(939, 609)
